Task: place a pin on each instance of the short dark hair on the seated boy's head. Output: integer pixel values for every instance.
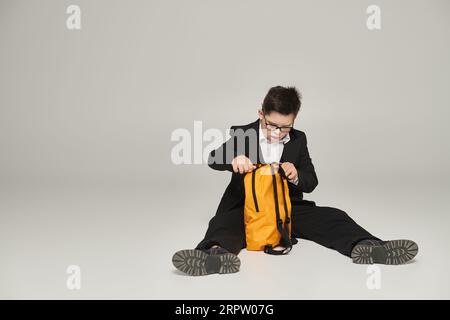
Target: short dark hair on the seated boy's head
(285, 100)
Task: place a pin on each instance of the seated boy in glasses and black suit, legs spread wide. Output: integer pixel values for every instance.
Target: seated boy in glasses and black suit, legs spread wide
(269, 139)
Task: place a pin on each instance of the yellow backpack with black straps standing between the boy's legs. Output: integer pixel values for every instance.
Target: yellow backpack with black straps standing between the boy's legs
(267, 210)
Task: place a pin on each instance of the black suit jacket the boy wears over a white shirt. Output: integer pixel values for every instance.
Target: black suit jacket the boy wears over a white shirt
(295, 151)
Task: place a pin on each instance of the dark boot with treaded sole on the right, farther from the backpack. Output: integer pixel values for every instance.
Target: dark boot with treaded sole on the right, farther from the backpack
(390, 252)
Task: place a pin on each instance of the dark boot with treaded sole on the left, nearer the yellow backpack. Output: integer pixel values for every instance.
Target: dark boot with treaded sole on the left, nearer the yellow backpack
(198, 263)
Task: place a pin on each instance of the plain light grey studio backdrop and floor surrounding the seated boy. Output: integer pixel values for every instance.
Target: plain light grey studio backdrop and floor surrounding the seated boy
(86, 116)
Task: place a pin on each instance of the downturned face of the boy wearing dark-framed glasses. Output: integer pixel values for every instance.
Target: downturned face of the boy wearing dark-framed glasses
(270, 122)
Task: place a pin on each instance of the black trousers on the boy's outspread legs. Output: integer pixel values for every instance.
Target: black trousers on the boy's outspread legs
(327, 226)
